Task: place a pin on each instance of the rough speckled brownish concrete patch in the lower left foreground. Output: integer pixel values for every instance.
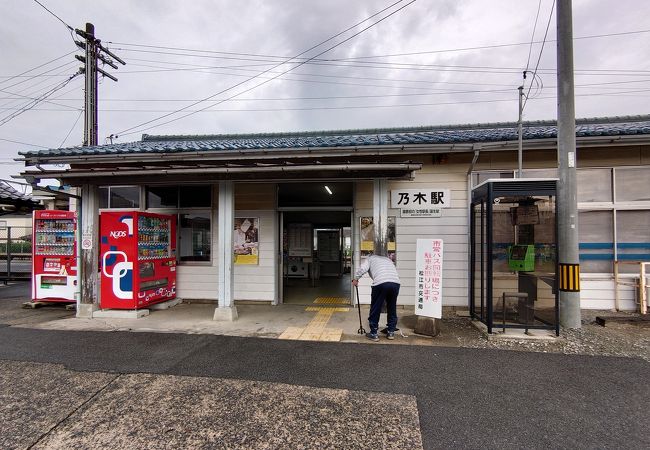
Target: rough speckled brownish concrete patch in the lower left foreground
(144, 411)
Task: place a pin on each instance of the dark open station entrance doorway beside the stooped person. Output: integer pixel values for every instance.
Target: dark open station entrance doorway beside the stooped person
(316, 243)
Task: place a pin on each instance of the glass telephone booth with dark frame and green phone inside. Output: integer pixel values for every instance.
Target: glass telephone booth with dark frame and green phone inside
(513, 257)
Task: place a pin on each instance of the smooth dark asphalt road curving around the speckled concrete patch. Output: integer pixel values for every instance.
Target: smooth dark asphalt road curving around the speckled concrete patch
(466, 398)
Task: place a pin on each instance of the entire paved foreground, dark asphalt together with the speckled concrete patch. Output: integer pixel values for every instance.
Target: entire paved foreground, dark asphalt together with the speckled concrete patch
(159, 390)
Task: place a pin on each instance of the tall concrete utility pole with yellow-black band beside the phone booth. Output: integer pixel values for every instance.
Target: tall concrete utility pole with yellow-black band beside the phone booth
(567, 197)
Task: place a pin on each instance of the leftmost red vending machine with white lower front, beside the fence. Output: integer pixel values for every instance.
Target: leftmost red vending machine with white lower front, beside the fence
(54, 256)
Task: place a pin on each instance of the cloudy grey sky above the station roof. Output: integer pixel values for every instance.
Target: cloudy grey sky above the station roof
(433, 62)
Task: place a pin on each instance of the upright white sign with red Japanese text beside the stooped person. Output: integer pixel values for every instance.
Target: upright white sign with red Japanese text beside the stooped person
(428, 278)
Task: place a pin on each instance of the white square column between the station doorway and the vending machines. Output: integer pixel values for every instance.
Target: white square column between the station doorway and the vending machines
(226, 209)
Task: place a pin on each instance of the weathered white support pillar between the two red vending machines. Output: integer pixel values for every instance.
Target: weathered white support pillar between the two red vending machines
(87, 263)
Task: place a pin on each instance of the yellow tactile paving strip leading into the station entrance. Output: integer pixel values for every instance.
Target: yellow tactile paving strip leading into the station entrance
(317, 330)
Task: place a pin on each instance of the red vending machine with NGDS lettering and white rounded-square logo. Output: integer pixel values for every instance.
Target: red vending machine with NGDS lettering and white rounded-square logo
(137, 258)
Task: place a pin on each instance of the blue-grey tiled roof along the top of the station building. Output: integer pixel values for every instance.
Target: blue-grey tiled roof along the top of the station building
(453, 134)
